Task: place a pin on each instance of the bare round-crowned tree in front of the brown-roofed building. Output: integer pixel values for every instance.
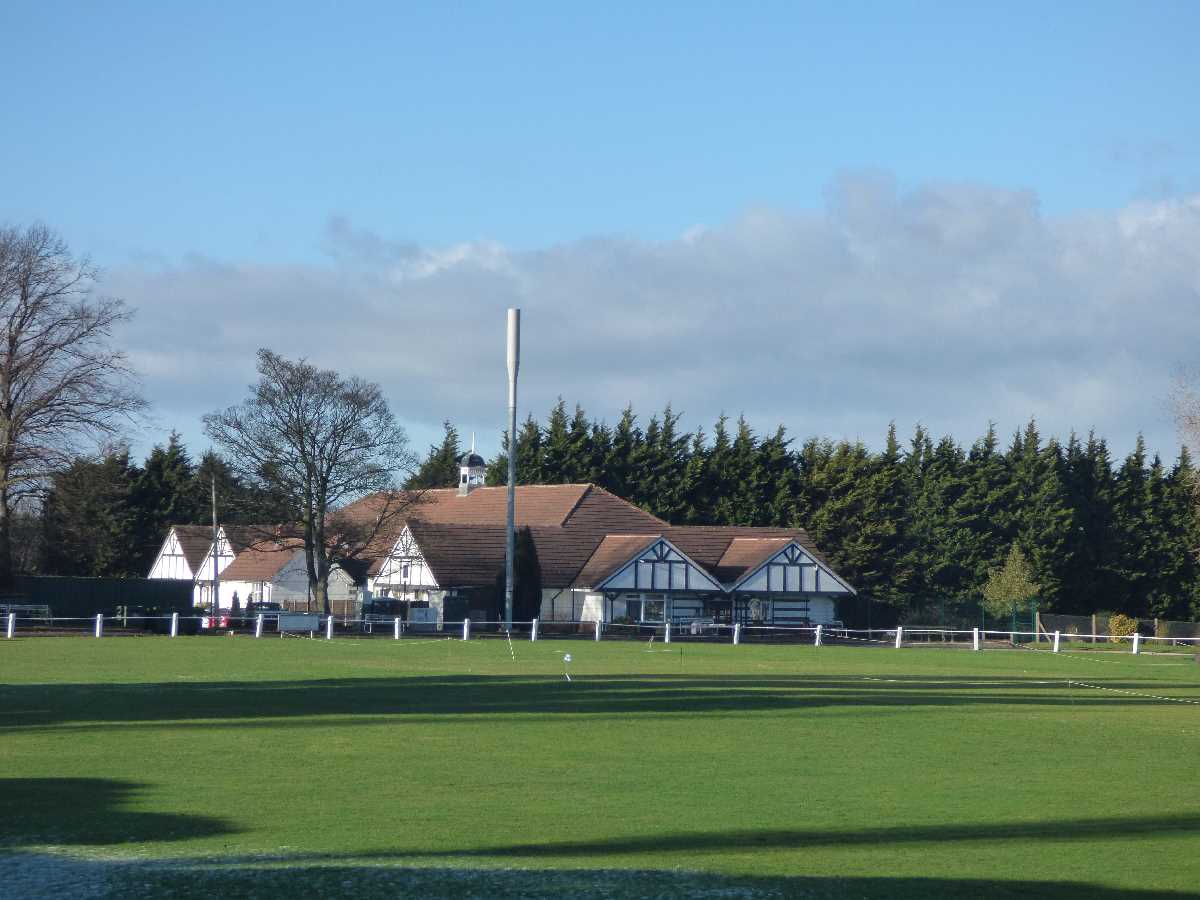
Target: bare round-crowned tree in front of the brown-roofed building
(321, 442)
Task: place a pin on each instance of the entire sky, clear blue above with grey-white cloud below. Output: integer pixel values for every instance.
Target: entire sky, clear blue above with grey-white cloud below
(831, 218)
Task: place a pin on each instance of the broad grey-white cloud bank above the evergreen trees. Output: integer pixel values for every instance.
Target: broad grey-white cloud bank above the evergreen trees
(951, 305)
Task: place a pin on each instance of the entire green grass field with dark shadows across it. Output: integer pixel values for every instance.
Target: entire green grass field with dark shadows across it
(233, 767)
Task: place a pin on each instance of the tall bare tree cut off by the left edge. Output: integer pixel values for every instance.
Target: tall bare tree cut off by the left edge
(62, 385)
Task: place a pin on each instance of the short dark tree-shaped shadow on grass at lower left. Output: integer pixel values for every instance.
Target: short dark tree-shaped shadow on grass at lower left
(88, 812)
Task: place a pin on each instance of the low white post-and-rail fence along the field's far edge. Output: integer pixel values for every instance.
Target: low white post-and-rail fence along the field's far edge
(37, 622)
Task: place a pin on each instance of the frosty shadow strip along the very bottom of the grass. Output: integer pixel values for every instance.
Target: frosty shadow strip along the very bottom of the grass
(53, 878)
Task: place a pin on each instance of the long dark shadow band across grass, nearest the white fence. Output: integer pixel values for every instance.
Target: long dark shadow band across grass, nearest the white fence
(242, 703)
